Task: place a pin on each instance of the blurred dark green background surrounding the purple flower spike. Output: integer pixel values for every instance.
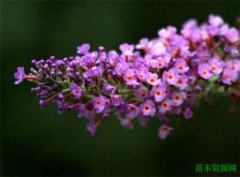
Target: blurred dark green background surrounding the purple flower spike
(42, 142)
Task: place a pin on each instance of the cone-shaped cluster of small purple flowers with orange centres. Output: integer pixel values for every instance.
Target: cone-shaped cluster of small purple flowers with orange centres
(156, 78)
